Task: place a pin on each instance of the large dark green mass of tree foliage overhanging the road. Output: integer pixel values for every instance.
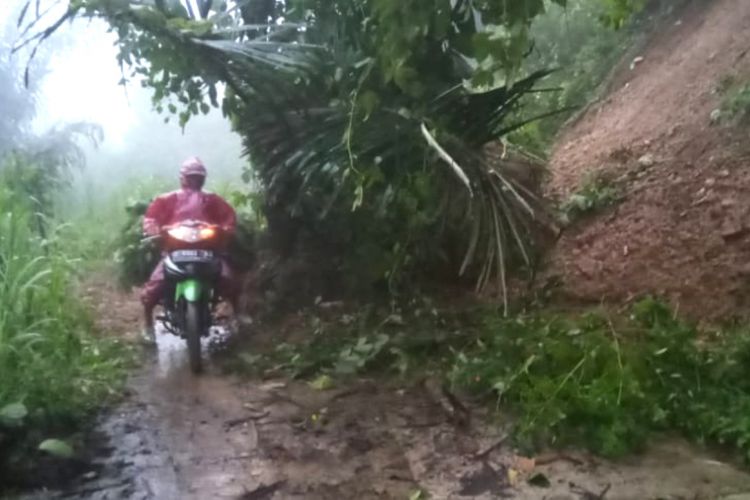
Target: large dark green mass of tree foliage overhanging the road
(365, 121)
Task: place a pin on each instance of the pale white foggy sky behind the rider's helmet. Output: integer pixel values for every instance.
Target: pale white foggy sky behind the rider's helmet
(78, 80)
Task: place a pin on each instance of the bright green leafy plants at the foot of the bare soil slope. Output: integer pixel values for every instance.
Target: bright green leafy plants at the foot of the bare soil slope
(610, 384)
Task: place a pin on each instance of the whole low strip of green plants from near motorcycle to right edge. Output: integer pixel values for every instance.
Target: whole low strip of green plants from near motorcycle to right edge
(607, 382)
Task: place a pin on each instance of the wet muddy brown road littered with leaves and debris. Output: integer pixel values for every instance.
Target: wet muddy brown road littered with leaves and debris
(178, 436)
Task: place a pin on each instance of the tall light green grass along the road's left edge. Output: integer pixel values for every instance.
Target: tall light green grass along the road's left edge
(49, 359)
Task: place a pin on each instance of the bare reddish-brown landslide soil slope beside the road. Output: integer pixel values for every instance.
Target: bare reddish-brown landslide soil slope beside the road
(682, 229)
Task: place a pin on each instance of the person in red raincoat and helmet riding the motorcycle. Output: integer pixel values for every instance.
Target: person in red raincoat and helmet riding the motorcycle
(190, 202)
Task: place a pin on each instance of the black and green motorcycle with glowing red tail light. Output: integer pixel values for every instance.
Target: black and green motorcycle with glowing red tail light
(191, 269)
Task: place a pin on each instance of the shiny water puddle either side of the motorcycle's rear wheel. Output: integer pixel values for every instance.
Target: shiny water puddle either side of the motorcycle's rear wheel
(171, 350)
